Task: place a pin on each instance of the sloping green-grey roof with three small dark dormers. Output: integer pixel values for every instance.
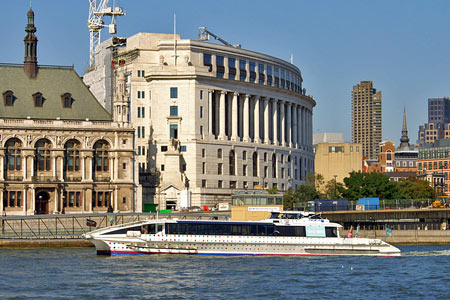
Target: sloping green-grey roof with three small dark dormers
(52, 82)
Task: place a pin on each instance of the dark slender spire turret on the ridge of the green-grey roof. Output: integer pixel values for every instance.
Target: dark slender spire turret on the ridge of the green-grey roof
(30, 40)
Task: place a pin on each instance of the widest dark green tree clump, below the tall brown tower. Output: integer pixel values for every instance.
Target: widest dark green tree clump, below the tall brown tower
(361, 185)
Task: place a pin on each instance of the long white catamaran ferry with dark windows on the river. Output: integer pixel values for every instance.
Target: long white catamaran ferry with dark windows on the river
(284, 233)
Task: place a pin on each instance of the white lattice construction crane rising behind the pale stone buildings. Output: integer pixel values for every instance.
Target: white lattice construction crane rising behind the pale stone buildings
(97, 11)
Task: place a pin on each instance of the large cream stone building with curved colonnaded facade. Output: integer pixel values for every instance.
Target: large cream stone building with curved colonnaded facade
(211, 119)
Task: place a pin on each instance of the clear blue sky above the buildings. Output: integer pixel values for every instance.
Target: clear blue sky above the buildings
(402, 46)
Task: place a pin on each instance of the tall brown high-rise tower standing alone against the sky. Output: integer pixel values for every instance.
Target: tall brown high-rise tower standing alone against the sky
(366, 118)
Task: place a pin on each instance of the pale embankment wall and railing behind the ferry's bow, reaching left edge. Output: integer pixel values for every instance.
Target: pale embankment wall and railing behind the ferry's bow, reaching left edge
(72, 226)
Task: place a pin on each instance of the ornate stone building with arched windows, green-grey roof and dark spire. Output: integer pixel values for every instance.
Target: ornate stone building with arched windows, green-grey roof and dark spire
(60, 150)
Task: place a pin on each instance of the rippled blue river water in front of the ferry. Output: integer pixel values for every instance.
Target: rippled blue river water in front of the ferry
(423, 272)
